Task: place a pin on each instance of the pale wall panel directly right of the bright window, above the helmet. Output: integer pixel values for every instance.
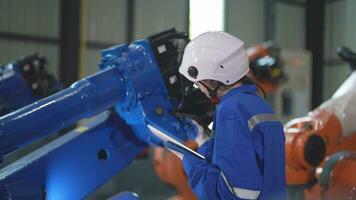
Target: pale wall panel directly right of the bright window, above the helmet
(246, 20)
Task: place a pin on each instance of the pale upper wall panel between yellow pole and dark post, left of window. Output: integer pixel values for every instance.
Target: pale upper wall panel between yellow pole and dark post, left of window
(107, 20)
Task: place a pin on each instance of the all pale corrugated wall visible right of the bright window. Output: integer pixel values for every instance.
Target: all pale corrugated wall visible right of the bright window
(246, 20)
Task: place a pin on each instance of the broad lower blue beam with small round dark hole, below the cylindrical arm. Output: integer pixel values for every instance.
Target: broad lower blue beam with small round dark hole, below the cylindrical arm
(74, 165)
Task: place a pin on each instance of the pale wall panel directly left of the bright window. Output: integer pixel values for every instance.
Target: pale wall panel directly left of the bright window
(152, 16)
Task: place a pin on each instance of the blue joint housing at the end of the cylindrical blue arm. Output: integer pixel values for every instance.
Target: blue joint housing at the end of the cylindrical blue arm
(147, 97)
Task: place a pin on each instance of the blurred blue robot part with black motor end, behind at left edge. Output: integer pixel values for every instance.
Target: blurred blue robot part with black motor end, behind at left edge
(24, 81)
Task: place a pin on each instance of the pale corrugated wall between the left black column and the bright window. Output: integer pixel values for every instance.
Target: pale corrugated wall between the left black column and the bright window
(107, 22)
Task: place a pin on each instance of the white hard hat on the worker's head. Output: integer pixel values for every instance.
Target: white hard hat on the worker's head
(215, 56)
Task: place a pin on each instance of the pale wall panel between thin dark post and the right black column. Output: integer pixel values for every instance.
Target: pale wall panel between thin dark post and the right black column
(290, 26)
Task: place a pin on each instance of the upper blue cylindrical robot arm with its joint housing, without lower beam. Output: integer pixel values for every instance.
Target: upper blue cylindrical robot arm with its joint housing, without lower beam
(130, 79)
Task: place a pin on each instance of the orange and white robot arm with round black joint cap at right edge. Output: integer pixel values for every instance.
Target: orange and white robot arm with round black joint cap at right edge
(328, 129)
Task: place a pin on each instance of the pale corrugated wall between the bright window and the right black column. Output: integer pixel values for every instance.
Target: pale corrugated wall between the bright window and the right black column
(246, 20)
